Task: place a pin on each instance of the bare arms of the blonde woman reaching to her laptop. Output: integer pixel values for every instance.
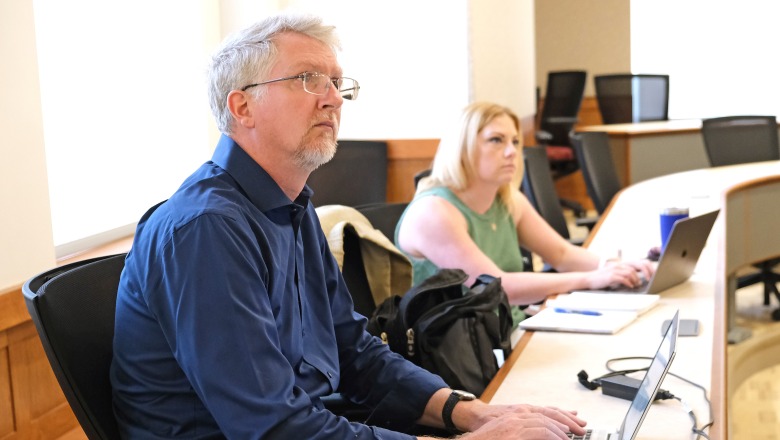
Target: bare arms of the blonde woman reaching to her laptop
(434, 229)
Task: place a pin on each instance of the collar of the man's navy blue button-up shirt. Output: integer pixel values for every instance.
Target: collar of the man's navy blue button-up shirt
(256, 183)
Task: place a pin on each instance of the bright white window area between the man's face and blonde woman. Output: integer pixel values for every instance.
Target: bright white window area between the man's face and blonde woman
(410, 57)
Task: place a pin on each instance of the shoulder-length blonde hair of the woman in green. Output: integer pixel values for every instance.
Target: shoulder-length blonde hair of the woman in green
(455, 159)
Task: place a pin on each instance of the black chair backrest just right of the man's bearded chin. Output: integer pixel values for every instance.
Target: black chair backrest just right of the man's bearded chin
(356, 175)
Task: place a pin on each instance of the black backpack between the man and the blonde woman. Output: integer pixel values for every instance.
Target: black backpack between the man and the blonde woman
(447, 329)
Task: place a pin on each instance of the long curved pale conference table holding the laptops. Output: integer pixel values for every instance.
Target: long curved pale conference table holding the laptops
(543, 367)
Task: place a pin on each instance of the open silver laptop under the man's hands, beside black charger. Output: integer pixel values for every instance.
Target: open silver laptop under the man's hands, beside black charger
(647, 390)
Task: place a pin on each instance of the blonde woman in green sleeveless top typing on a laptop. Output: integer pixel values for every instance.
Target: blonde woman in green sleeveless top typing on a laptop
(470, 214)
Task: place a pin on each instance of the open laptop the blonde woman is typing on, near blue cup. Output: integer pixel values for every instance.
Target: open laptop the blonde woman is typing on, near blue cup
(679, 259)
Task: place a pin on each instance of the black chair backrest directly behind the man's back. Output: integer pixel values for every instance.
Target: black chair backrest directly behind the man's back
(72, 308)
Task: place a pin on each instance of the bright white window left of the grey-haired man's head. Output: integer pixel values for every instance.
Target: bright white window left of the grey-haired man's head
(125, 111)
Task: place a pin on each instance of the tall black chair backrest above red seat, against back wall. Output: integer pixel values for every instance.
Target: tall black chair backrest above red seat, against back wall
(562, 101)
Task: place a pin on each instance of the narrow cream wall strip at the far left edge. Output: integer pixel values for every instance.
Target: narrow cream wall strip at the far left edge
(25, 227)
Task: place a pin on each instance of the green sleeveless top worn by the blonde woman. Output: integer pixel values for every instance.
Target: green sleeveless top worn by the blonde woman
(494, 232)
